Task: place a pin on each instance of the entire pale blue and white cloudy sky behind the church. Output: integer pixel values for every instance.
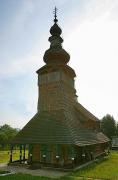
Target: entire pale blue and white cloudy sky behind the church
(90, 32)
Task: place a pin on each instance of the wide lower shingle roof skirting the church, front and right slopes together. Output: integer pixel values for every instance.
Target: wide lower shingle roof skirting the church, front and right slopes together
(57, 127)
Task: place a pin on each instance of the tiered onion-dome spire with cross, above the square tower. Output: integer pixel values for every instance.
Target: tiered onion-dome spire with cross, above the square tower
(56, 54)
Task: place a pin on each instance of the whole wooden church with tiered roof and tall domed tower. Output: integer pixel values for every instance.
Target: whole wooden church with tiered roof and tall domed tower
(62, 133)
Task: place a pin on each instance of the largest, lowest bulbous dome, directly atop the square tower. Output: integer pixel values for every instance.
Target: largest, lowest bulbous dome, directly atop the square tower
(58, 56)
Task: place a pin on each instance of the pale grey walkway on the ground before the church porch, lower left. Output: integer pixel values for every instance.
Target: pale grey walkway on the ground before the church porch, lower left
(38, 172)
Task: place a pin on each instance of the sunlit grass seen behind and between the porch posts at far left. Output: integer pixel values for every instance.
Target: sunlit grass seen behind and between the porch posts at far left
(5, 155)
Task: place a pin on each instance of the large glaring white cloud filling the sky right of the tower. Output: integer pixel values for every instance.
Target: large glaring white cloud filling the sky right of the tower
(93, 46)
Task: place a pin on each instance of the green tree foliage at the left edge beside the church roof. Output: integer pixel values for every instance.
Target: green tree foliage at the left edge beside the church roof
(7, 133)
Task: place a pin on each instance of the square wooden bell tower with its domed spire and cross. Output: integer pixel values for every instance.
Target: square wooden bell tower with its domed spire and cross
(56, 78)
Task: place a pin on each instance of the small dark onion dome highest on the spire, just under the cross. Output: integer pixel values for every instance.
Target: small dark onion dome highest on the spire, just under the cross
(55, 30)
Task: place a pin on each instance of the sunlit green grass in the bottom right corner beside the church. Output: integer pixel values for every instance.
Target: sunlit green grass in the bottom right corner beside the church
(104, 169)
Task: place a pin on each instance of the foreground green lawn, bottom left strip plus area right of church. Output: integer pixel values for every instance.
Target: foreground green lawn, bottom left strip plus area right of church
(103, 169)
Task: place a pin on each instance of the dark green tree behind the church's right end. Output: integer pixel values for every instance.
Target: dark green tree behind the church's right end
(108, 126)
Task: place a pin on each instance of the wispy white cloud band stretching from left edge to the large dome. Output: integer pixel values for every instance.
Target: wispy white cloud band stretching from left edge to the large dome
(30, 62)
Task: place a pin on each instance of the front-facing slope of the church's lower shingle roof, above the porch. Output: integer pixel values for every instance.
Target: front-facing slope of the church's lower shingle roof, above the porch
(42, 128)
